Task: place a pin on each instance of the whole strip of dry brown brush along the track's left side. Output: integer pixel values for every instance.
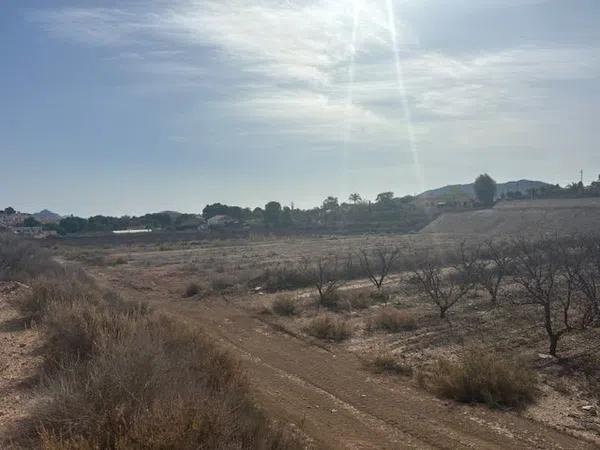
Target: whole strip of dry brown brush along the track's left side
(118, 375)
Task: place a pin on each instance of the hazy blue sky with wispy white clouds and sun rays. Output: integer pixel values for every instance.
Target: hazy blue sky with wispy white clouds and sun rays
(127, 107)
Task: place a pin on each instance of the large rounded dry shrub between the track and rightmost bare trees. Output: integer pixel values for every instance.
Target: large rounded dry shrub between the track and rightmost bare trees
(484, 377)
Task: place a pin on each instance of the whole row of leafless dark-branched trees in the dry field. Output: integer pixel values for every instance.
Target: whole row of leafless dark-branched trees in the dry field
(561, 276)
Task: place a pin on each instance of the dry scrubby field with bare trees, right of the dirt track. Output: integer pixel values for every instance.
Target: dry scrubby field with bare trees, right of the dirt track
(519, 299)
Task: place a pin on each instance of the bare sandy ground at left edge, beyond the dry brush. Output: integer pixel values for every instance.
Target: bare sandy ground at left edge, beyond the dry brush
(19, 361)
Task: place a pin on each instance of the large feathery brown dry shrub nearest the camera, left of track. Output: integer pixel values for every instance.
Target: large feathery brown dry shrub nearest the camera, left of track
(157, 385)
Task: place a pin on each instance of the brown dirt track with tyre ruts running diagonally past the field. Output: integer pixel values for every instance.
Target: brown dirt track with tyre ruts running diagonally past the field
(327, 393)
